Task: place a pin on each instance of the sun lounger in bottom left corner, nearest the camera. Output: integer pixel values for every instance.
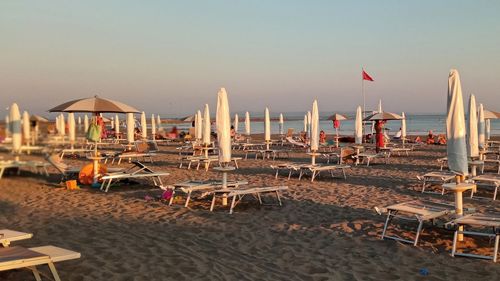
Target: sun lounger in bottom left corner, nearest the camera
(19, 258)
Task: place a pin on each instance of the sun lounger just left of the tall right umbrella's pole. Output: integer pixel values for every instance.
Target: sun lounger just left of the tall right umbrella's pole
(420, 211)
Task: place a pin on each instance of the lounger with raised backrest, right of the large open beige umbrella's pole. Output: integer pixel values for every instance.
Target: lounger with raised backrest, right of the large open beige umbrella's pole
(138, 170)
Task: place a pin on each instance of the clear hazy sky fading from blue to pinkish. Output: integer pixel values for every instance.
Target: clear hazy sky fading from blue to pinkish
(171, 57)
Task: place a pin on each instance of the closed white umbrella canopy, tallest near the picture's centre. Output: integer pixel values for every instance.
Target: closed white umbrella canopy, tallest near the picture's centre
(223, 122)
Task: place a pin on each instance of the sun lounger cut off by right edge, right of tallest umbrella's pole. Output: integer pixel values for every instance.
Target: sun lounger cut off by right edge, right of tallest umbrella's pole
(480, 221)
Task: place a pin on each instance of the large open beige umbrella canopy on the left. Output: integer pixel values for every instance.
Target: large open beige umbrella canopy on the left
(94, 105)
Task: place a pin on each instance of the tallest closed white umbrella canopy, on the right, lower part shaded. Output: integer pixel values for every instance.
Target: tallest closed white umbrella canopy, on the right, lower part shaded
(456, 147)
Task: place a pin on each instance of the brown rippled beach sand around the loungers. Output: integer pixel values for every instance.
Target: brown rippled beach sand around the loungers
(326, 230)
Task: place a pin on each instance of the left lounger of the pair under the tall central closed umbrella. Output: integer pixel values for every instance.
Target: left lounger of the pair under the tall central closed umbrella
(188, 187)
